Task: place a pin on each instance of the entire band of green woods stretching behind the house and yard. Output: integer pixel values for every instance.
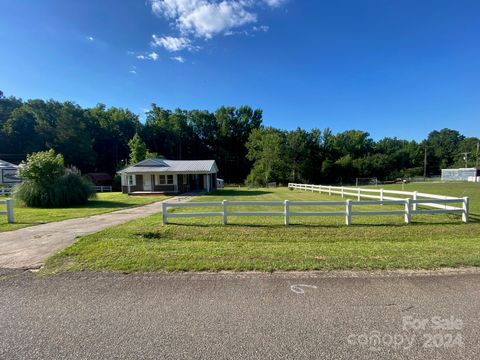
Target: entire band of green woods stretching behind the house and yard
(97, 139)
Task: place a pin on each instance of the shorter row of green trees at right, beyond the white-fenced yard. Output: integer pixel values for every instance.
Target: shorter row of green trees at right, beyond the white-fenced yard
(323, 157)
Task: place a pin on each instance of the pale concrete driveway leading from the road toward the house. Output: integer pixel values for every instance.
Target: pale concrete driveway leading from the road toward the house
(31, 246)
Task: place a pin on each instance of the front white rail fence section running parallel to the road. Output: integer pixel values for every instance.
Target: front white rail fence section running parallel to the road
(409, 209)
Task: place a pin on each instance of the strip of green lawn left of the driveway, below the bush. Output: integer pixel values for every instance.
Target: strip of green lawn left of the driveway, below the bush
(103, 203)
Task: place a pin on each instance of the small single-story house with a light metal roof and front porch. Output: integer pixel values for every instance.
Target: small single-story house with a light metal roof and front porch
(169, 176)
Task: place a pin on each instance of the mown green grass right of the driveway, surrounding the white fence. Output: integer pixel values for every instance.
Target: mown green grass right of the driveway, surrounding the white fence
(265, 244)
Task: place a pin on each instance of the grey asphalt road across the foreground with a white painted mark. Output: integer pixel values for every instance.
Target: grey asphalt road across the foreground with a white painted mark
(240, 316)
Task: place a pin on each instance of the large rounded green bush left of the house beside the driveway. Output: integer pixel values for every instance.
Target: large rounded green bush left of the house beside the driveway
(47, 183)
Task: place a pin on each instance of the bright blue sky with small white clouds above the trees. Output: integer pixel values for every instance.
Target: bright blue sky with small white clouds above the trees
(390, 67)
